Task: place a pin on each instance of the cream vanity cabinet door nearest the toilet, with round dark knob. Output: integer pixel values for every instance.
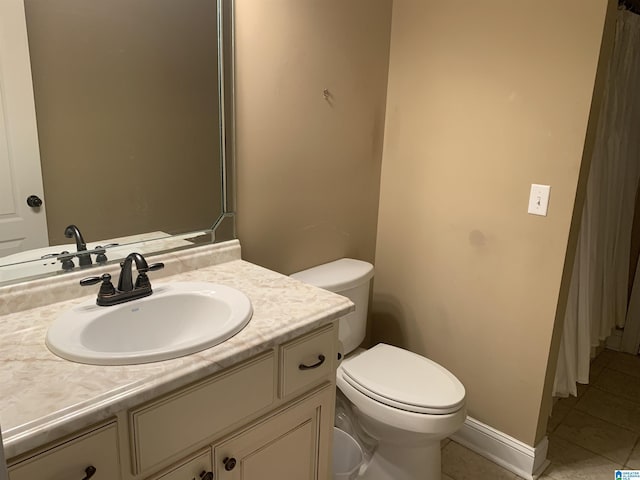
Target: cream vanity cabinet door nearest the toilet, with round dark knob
(292, 444)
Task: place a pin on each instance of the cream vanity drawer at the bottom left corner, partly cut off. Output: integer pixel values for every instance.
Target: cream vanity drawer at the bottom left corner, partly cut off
(69, 460)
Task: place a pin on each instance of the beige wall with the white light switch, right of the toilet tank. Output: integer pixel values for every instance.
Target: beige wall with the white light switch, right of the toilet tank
(484, 99)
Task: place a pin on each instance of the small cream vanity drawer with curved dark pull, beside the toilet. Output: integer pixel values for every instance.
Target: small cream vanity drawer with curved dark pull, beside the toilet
(308, 360)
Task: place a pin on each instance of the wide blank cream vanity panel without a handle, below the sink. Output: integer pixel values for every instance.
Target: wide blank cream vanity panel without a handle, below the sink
(173, 424)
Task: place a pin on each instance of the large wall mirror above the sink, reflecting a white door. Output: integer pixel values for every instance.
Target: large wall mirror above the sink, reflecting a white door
(134, 114)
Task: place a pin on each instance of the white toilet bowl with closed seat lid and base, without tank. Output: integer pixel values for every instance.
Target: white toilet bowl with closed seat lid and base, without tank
(408, 417)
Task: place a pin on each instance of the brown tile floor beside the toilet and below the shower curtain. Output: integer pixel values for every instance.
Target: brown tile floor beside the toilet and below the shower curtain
(589, 436)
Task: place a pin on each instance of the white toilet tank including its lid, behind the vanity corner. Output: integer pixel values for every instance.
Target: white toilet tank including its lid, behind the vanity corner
(350, 278)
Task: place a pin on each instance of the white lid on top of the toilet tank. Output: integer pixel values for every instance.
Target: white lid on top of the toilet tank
(338, 275)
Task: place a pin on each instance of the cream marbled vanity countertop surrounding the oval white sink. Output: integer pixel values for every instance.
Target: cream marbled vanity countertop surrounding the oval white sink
(44, 397)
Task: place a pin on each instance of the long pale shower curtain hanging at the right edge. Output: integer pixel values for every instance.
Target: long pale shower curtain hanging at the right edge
(599, 284)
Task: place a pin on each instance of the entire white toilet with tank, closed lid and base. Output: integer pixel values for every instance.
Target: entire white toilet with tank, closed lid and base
(405, 402)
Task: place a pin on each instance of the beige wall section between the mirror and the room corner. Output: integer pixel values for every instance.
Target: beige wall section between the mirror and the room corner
(309, 167)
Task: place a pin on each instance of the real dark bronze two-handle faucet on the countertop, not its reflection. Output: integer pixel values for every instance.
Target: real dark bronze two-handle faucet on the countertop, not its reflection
(127, 290)
